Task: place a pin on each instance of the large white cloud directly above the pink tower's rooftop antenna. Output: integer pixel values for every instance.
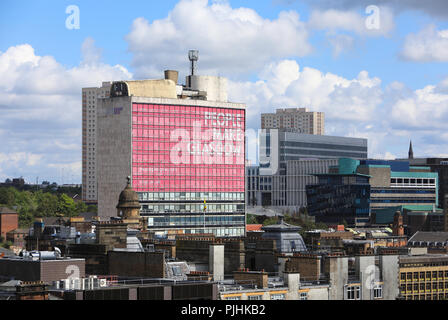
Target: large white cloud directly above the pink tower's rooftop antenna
(229, 40)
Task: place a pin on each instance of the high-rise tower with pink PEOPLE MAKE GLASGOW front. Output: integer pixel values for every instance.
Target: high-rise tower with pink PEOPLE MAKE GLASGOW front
(185, 157)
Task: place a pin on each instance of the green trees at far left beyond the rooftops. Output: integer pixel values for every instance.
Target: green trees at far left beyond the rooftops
(33, 204)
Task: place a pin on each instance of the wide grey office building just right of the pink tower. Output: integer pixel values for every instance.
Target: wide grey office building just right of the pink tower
(287, 162)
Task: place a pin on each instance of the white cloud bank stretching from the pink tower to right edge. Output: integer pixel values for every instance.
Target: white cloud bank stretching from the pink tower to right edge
(359, 107)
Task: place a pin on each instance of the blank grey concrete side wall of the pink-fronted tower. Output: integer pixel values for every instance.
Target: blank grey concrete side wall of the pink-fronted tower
(114, 151)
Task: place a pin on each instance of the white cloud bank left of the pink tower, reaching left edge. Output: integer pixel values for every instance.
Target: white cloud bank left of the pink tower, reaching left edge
(40, 102)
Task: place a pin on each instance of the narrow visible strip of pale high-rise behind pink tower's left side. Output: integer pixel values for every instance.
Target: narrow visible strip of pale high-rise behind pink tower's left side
(89, 129)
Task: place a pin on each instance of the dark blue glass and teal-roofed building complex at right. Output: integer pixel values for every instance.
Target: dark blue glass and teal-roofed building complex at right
(381, 187)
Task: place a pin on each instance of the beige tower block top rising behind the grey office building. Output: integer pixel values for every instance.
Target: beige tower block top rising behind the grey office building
(295, 119)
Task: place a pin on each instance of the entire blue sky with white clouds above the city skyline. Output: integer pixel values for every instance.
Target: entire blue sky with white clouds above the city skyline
(377, 69)
